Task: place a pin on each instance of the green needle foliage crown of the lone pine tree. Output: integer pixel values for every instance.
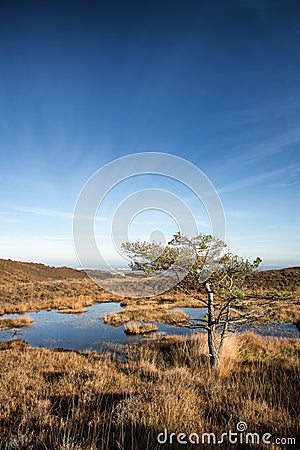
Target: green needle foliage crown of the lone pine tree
(197, 256)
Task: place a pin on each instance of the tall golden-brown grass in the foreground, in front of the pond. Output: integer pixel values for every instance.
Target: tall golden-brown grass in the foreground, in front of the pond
(86, 401)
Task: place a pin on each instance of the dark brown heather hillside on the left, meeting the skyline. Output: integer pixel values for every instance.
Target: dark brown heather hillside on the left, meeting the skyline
(23, 271)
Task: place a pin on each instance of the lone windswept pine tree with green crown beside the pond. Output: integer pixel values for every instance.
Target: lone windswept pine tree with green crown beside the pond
(209, 268)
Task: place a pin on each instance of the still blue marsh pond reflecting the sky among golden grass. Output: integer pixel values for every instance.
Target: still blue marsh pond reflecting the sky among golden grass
(87, 331)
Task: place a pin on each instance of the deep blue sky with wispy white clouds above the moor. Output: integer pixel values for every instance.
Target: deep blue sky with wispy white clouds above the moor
(85, 82)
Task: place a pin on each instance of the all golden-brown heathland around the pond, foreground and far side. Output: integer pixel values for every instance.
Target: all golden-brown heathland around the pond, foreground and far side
(55, 399)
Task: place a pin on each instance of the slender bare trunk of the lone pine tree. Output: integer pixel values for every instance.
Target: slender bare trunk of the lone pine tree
(211, 332)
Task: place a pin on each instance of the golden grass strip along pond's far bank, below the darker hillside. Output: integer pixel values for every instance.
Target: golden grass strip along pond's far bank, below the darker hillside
(73, 295)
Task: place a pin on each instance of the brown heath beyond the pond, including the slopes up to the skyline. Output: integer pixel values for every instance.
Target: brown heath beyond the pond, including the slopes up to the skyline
(33, 287)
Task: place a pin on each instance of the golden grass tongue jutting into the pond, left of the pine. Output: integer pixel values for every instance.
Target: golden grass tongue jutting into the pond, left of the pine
(148, 313)
